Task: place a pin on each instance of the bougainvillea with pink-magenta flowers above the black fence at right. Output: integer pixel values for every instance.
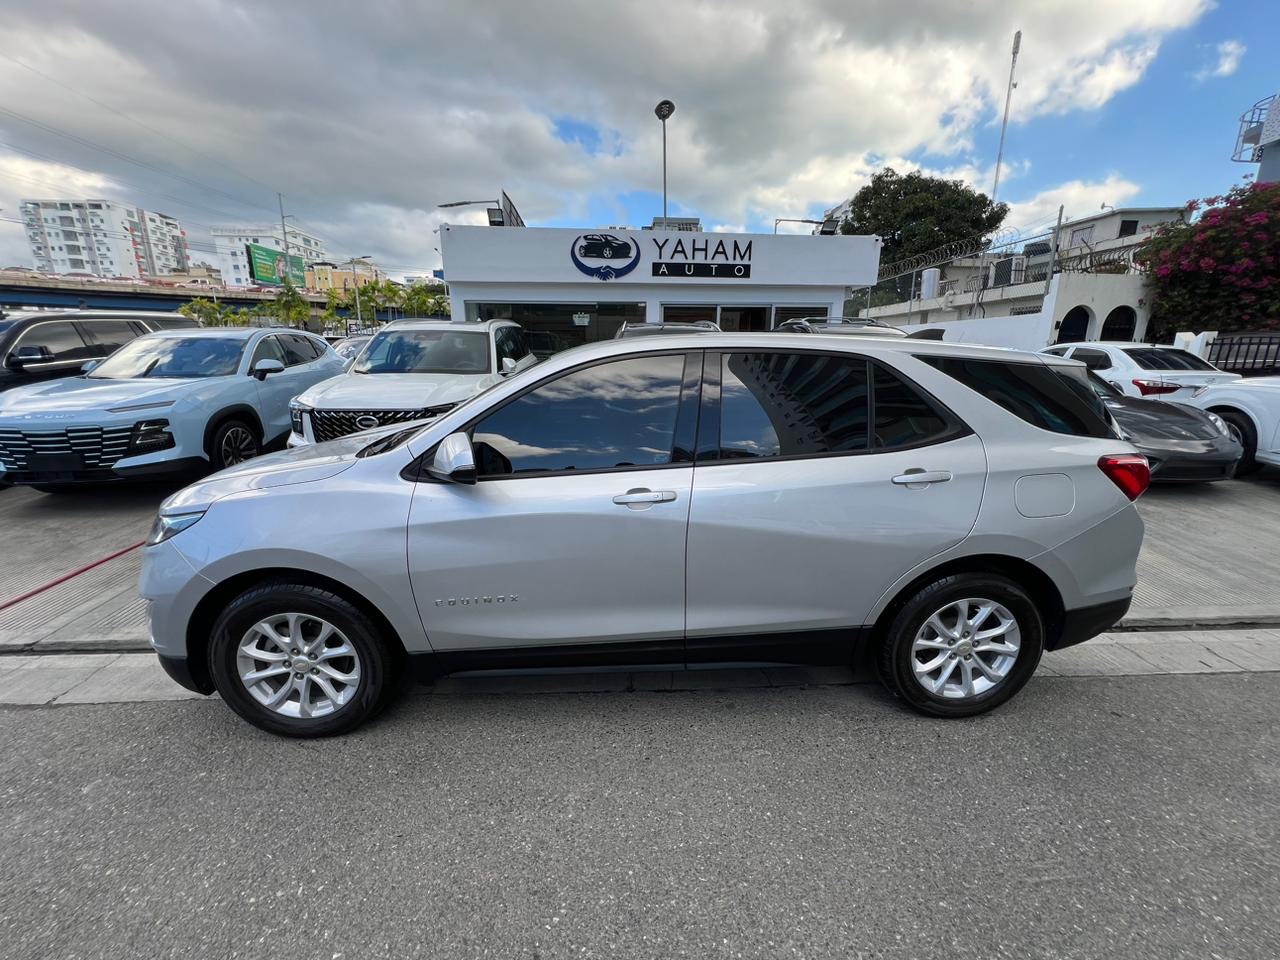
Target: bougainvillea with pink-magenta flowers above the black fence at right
(1220, 272)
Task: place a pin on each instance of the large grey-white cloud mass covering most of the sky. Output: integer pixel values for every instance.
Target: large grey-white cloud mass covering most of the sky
(781, 109)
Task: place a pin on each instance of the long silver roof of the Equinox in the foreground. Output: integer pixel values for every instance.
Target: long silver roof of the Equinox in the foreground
(774, 341)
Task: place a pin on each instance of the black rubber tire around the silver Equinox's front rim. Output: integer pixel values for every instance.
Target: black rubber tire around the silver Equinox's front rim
(378, 657)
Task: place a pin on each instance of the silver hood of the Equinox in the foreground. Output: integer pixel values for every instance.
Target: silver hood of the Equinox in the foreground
(300, 465)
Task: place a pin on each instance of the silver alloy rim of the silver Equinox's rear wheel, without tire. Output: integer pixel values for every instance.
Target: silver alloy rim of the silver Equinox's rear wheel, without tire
(966, 650)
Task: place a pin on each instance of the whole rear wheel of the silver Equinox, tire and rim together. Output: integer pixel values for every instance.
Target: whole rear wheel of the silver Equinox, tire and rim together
(963, 646)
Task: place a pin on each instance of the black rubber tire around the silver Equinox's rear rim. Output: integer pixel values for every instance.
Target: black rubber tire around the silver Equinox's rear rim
(895, 656)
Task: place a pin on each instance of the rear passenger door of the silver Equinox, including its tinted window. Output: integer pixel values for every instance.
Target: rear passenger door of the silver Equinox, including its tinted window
(804, 510)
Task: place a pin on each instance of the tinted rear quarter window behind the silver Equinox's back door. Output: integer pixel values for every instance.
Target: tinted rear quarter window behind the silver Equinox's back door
(1055, 399)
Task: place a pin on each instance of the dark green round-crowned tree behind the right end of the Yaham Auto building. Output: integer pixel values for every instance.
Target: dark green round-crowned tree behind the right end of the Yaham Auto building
(915, 214)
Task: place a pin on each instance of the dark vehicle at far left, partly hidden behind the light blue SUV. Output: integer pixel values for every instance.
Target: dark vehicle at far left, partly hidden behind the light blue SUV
(47, 345)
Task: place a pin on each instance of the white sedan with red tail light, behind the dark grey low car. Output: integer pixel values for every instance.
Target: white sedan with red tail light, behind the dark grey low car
(1145, 369)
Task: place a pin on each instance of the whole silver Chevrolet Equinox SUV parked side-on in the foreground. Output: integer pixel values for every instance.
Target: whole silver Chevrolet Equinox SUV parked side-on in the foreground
(944, 511)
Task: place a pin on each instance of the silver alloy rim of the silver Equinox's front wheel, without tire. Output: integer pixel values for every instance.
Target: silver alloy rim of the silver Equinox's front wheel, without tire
(299, 665)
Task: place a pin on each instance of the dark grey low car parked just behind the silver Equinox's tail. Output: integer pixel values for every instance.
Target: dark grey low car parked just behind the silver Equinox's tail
(1181, 444)
